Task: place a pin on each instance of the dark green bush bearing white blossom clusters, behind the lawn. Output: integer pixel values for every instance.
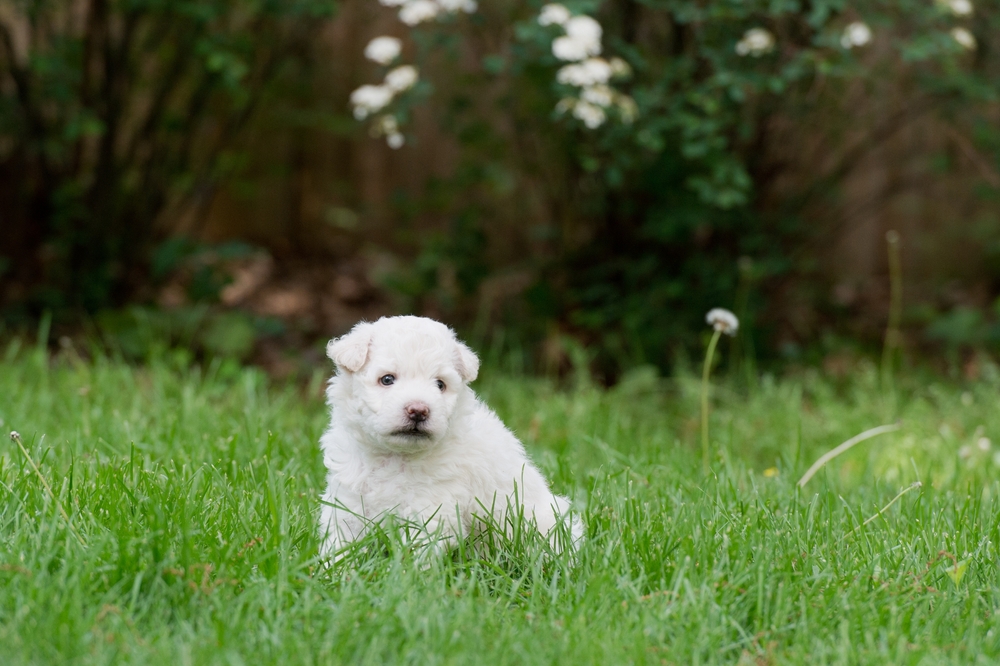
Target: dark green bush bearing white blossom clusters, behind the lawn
(653, 129)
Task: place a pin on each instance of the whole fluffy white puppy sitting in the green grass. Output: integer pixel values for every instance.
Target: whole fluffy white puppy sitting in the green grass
(408, 437)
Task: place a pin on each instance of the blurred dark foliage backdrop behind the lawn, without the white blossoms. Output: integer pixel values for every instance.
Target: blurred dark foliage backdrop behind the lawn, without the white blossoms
(190, 171)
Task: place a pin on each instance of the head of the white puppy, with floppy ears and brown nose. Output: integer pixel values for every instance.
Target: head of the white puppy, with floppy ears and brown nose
(403, 379)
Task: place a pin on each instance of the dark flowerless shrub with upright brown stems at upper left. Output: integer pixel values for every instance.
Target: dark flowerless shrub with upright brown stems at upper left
(113, 112)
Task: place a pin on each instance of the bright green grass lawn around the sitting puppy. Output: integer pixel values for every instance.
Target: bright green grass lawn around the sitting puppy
(193, 494)
